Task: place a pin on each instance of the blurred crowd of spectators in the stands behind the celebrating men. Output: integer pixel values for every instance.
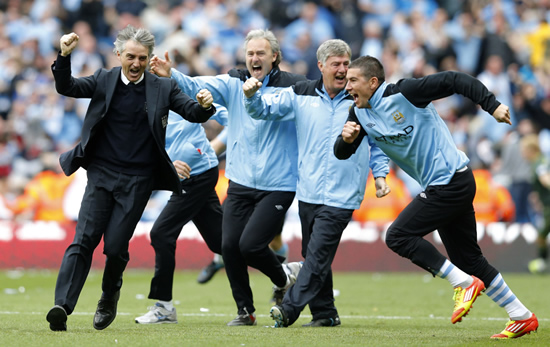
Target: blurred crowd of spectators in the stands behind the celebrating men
(504, 43)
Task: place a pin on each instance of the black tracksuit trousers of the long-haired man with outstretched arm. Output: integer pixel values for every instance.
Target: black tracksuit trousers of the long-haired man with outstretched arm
(251, 219)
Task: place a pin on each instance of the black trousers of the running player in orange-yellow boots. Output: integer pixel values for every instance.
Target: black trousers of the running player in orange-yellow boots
(449, 209)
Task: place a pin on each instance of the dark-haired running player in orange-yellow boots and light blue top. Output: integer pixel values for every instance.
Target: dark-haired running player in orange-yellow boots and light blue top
(404, 123)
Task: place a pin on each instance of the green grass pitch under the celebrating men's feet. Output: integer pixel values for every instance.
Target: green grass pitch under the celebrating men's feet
(376, 309)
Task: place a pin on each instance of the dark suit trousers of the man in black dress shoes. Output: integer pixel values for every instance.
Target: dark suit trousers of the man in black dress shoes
(111, 208)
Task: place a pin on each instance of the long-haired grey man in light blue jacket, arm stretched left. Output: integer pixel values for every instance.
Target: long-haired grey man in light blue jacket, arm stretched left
(261, 164)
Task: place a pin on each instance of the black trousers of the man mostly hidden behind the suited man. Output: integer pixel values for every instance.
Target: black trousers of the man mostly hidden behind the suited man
(199, 204)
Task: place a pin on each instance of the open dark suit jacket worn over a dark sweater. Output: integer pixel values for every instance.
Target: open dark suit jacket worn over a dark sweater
(162, 95)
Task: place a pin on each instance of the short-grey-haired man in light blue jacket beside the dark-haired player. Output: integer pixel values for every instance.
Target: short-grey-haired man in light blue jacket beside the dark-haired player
(328, 189)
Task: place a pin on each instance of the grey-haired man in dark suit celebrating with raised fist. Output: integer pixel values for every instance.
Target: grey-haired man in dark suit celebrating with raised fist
(122, 148)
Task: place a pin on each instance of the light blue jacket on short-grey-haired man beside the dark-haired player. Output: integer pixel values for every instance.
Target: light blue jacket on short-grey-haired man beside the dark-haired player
(322, 178)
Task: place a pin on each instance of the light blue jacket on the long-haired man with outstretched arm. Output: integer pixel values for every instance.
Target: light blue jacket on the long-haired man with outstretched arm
(259, 155)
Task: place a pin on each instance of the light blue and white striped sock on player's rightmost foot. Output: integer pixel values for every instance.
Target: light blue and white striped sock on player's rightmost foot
(501, 294)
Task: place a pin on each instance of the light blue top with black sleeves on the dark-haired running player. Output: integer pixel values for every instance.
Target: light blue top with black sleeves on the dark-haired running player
(404, 123)
